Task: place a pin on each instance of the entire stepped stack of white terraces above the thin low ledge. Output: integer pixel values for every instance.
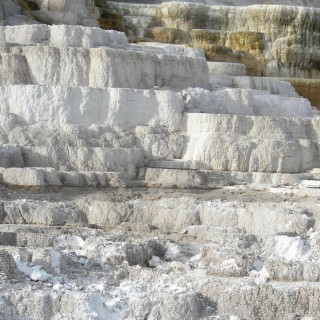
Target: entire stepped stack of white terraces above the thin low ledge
(105, 99)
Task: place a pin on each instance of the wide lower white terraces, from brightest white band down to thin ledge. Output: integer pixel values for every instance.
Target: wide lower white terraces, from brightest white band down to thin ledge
(122, 129)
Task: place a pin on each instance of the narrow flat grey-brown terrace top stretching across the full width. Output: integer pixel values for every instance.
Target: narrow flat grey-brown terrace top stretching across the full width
(60, 194)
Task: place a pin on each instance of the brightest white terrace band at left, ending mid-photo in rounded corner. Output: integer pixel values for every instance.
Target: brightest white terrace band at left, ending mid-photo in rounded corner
(88, 106)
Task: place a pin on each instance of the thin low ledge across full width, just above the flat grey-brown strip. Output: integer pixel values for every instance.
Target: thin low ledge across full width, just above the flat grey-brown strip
(158, 177)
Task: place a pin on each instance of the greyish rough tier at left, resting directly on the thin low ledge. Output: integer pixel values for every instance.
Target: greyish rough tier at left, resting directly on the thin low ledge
(122, 160)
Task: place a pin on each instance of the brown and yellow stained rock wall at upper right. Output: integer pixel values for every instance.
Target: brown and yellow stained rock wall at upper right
(270, 40)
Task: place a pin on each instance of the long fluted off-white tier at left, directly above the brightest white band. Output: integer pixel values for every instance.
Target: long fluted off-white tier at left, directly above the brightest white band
(101, 67)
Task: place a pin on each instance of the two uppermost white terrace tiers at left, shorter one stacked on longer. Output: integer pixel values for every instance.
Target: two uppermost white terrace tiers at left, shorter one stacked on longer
(83, 56)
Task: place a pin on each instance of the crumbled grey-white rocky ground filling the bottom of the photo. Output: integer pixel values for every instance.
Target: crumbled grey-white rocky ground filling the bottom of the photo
(232, 253)
